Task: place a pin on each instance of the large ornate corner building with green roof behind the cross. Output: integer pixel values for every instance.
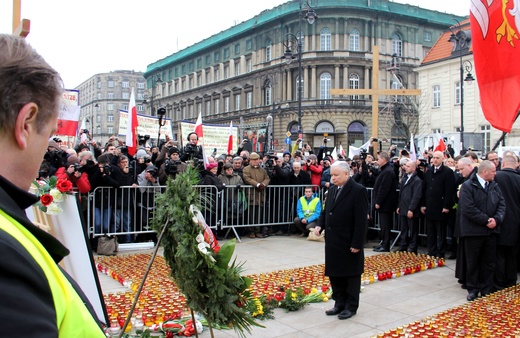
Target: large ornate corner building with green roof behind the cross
(239, 75)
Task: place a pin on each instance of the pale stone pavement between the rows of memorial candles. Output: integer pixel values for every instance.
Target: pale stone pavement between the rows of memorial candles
(383, 305)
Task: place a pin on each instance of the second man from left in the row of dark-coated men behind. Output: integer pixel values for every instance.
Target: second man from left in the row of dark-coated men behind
(409, 205)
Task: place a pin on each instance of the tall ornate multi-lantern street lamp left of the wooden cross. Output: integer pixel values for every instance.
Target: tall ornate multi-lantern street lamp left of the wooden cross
(289, 41)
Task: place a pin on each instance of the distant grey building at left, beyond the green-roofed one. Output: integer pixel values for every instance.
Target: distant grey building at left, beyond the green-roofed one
(103, 95)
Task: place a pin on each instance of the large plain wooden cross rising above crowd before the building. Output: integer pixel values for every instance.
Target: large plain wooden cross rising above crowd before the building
(375, 92)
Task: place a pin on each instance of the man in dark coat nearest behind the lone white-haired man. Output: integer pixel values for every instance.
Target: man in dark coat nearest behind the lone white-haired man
(384, 199)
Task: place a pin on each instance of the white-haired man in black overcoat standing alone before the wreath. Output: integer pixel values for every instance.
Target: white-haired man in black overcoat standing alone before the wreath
(345, 222)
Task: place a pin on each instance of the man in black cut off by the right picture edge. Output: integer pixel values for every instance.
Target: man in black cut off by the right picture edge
(508, 179)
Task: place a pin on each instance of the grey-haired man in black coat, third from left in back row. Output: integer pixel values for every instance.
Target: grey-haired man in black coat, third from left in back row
(438, 190)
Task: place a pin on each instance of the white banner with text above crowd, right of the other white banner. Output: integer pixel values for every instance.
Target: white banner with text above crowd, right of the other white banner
(215, 136)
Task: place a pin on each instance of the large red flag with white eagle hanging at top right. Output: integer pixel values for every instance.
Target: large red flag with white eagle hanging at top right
(494, 29)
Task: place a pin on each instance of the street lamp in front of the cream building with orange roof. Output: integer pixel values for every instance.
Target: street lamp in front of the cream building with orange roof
(461, 40)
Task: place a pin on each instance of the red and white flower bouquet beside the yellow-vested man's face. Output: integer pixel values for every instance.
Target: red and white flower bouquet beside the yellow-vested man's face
(51, 192)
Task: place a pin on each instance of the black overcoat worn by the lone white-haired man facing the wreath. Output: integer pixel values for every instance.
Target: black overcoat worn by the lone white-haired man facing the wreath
(345, 223)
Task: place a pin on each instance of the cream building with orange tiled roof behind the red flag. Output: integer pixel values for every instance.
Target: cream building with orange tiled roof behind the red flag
(444, 98)
